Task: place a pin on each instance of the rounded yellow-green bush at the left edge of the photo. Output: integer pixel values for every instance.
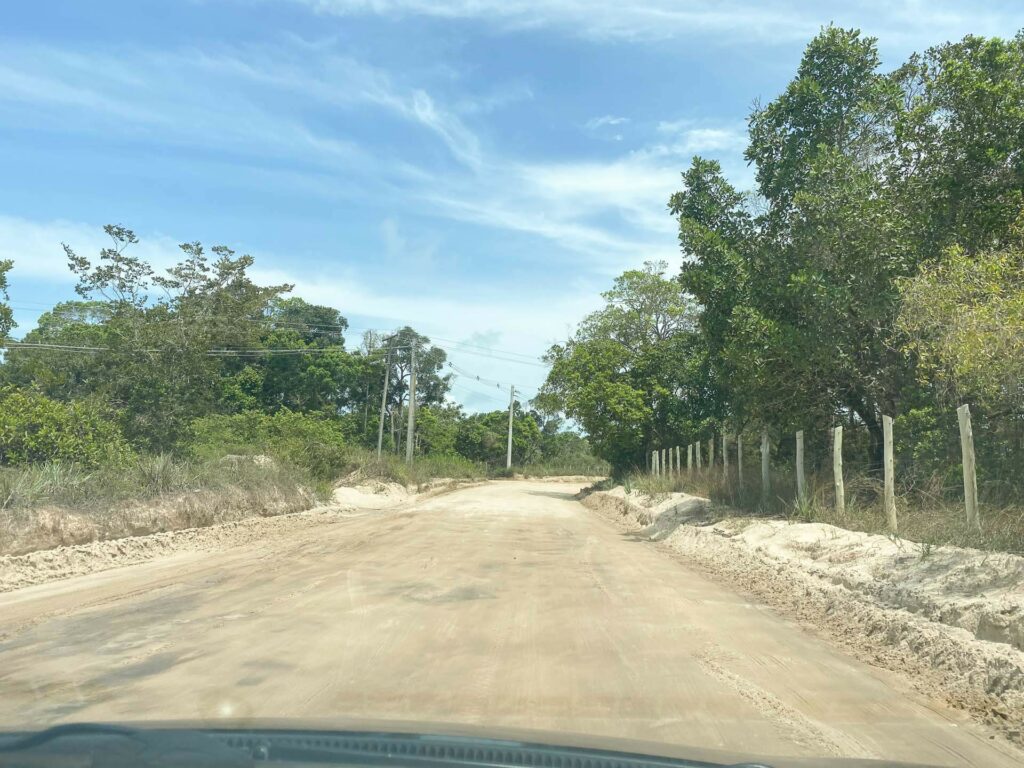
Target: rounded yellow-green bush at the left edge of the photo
(35, 429)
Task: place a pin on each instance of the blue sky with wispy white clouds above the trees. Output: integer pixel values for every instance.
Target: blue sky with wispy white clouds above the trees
(479, 169)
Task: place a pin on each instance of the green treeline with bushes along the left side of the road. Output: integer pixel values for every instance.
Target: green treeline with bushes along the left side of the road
(199, 361)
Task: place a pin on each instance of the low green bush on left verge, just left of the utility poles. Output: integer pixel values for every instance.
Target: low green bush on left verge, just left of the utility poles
(310, 442)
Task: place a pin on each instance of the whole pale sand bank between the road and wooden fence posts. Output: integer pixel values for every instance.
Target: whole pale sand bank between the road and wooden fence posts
(951, 618)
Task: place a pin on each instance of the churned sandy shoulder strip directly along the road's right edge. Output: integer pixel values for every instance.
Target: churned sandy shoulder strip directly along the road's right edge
(943, 661)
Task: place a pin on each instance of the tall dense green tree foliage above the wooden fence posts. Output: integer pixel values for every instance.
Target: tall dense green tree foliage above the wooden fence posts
(867, 181)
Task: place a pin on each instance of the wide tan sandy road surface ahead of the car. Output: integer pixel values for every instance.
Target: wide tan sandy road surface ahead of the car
(507, 605)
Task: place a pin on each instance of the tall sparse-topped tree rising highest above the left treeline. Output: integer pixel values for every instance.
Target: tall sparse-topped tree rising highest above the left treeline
(161, 360)
